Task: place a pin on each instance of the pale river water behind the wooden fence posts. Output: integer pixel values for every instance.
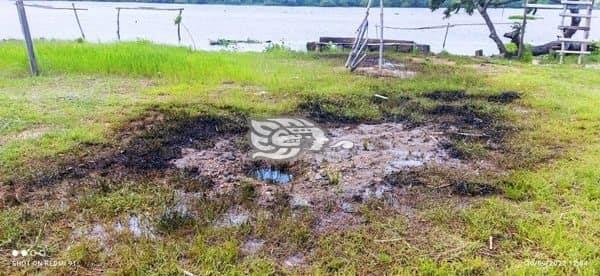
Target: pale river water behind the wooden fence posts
(294, 26)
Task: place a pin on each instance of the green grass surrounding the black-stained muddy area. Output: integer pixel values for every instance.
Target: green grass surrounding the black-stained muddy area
(545, 219)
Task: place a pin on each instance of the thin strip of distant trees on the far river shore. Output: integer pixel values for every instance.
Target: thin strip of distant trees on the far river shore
(315, 3)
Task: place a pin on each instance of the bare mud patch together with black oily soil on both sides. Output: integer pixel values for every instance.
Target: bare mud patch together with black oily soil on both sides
(394, 152)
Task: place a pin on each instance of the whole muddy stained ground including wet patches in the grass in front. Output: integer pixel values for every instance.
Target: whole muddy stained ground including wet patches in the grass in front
(409, 155)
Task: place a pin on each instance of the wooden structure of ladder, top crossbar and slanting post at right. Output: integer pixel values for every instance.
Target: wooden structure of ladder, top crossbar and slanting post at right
(570, 9)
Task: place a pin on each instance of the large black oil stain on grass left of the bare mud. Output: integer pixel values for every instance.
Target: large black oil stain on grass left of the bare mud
(143, 145)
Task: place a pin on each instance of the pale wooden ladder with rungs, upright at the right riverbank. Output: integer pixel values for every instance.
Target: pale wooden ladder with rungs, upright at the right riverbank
(586, 8)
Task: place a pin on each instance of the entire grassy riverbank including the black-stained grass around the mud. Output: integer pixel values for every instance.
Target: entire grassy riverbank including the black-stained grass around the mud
(89, 154)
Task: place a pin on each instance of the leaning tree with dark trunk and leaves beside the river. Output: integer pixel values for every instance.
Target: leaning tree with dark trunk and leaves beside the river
(454, 6)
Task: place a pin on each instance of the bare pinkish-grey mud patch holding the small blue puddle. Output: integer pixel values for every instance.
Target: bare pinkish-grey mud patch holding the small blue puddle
(335, 179)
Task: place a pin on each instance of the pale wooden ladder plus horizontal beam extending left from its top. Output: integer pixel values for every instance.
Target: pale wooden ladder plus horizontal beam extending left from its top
(586, 6)
